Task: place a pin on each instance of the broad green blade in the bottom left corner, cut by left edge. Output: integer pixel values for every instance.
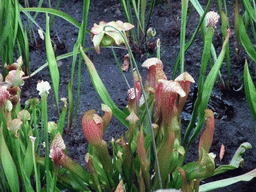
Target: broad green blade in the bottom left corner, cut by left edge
(8, 164)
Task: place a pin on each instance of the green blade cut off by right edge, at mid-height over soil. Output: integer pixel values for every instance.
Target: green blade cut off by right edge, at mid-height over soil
(250, 90)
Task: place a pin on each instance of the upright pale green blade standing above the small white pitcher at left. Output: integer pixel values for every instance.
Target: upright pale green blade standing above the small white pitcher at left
(53, 67)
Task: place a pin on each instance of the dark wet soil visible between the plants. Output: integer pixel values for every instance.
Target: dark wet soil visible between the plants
(234, 122)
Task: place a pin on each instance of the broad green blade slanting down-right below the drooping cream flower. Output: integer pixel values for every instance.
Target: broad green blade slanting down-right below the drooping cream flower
(102, 91)
